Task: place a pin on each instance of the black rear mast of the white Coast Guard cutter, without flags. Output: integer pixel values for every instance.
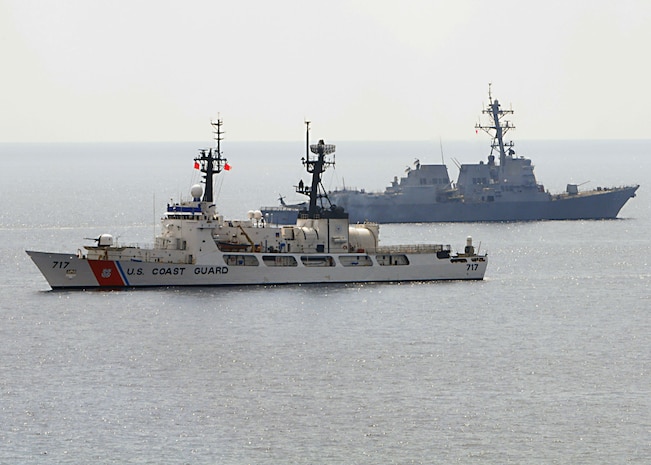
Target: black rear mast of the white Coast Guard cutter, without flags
(315, 166)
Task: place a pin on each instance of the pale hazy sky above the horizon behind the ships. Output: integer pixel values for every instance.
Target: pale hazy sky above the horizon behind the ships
(150, 70)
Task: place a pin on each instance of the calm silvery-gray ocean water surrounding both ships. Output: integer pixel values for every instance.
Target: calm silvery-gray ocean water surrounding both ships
(545, 361)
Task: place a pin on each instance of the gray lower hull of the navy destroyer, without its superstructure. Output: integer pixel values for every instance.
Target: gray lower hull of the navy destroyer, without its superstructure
(400, 209)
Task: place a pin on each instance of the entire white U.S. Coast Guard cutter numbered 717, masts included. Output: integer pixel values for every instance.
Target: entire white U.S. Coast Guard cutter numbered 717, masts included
(198, 247)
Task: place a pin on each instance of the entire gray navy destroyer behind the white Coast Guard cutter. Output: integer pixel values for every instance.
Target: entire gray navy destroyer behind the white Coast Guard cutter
(502, 189)
